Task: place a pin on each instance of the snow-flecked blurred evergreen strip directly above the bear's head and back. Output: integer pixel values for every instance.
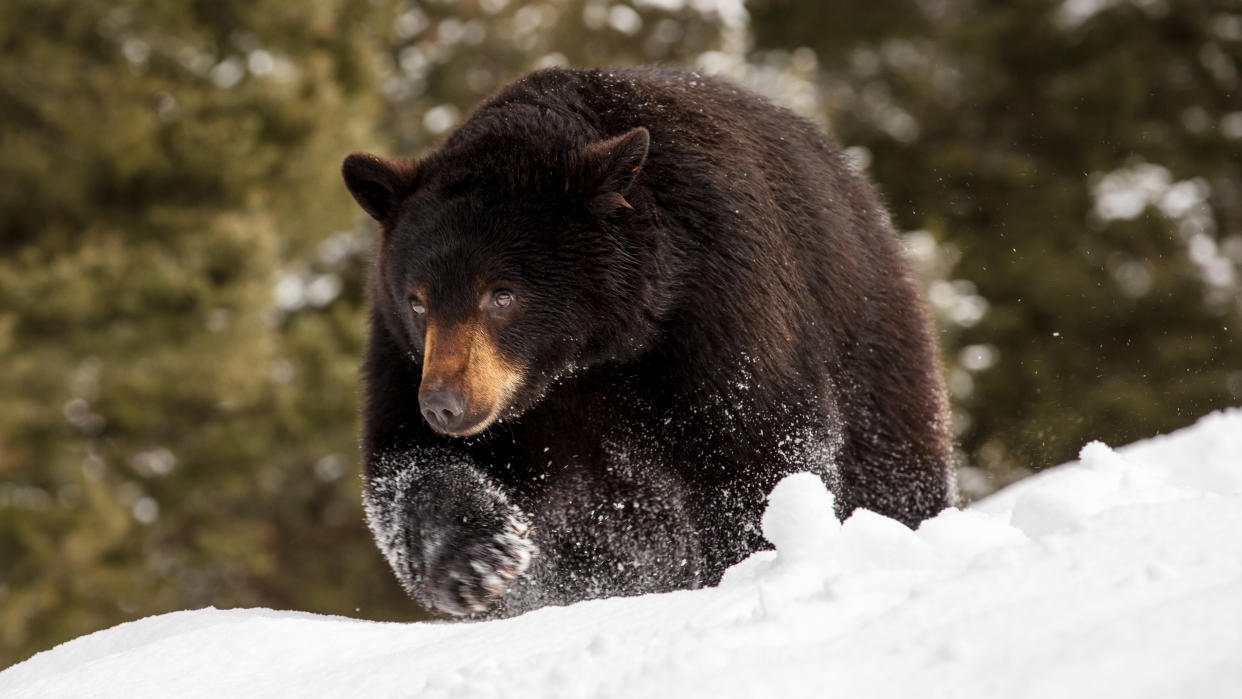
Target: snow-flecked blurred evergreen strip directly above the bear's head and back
(444, 58)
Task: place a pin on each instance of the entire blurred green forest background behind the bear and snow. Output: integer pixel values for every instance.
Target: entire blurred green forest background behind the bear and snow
(182, 270)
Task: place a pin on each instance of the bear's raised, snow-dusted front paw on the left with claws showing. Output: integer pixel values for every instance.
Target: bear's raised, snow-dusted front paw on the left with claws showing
(450, 534)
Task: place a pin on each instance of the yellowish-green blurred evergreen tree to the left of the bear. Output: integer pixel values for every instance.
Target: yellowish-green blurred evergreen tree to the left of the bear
(172, 435)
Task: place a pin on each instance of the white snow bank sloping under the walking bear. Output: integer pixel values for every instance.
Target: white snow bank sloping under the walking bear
(1118, 575)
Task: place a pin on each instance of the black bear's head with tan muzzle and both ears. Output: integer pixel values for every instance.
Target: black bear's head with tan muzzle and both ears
(511, 259)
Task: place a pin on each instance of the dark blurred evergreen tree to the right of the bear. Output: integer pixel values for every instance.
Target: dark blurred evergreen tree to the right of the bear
(1085, 161)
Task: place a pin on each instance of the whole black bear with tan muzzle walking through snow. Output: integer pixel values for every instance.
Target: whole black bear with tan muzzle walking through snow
(609, 313)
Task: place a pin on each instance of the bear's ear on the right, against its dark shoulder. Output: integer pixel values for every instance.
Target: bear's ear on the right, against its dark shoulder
(605, 171)
